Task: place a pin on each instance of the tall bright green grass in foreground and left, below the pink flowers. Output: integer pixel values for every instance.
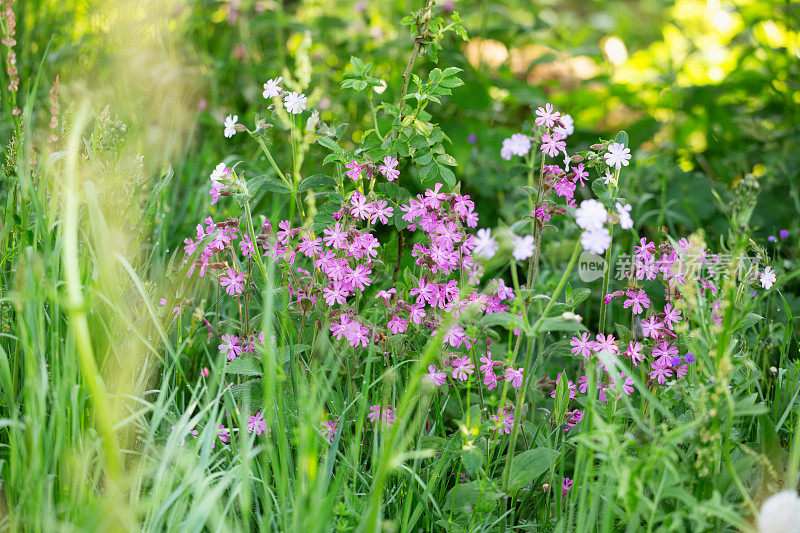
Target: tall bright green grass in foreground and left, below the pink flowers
(106, 424)
